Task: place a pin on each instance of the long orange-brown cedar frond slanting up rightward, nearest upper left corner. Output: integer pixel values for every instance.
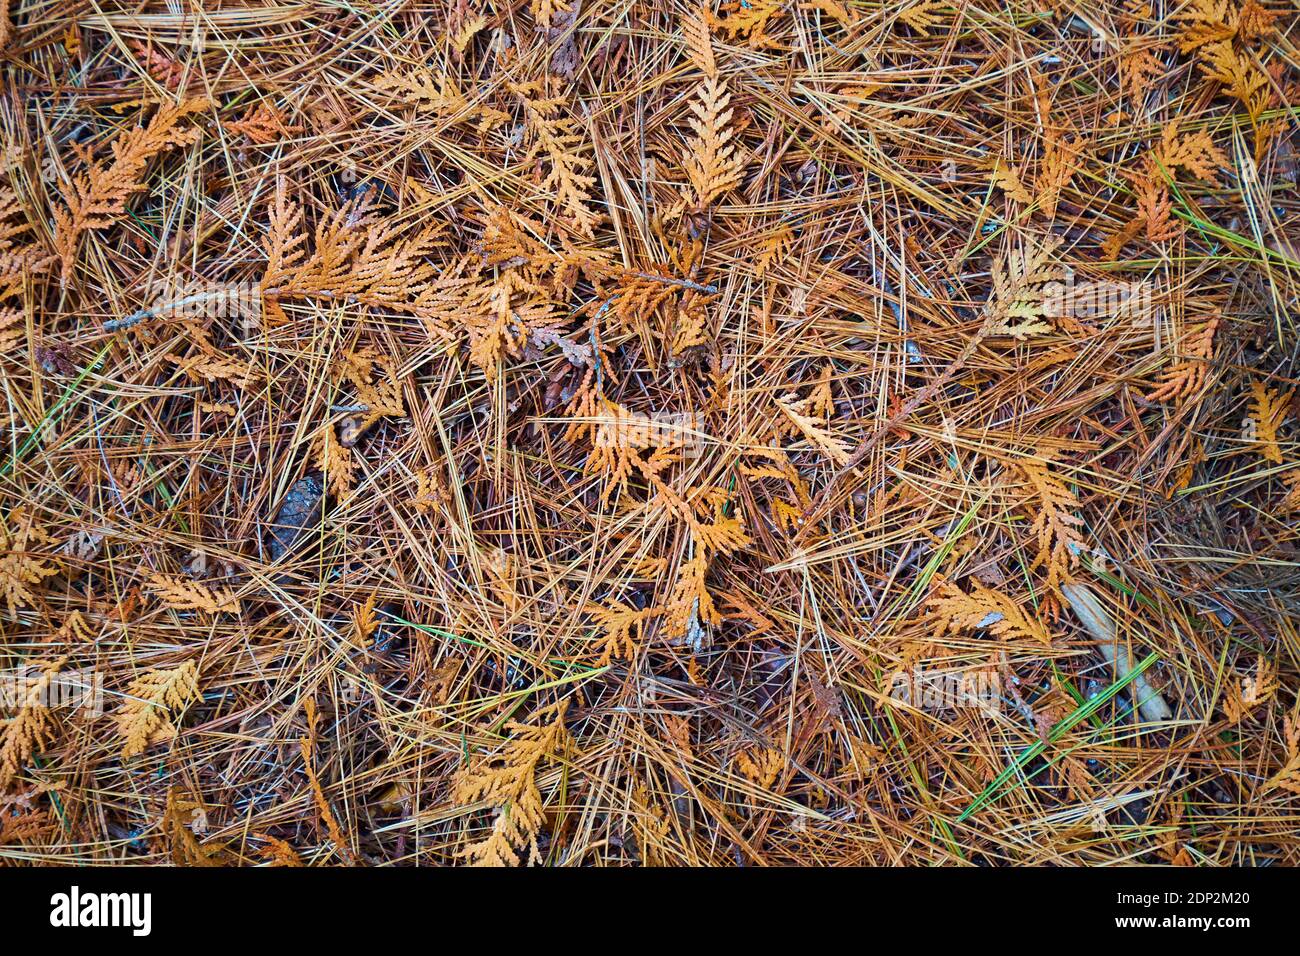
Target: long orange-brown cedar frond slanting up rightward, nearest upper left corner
(99, 196)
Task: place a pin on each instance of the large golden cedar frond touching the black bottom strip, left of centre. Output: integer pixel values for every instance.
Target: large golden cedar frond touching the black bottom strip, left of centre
(508, 781)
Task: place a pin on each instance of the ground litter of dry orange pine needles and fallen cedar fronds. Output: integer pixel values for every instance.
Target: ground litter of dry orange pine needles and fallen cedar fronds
(606, 434)
